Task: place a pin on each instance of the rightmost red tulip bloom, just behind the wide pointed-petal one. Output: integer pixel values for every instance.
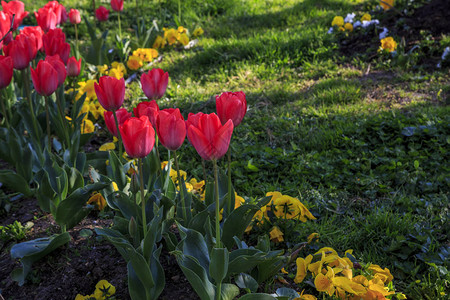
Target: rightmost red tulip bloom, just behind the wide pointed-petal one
(231, 106)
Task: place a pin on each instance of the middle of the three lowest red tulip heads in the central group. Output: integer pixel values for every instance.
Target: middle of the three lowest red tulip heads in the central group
(171, 128)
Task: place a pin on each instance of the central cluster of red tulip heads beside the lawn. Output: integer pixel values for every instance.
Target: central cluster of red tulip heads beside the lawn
(210, 134)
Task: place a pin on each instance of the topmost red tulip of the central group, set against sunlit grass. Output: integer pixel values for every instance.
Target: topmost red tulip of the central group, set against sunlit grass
(154, 83)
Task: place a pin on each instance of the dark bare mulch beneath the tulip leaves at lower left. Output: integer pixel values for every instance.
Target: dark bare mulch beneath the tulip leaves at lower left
(77, 267)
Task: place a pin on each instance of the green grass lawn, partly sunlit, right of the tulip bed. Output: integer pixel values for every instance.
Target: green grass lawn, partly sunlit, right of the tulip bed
(367, 153)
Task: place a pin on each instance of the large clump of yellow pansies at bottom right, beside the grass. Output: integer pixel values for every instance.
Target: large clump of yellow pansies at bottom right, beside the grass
(344, 278)
